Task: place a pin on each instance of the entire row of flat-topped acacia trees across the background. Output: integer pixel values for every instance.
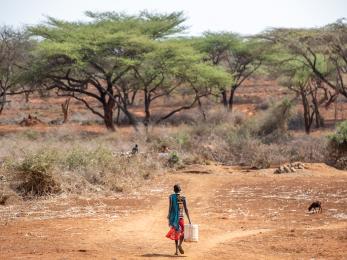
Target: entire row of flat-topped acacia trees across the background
(107, 61)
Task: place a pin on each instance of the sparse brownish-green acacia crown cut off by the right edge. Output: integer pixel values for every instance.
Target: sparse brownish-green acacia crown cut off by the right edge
(314, 47)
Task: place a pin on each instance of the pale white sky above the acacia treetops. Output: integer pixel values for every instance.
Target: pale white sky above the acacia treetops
(241, 16)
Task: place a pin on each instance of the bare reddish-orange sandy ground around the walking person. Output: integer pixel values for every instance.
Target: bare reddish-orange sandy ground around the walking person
(241, 214)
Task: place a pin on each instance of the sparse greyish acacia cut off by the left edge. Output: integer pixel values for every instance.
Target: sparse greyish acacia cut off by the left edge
(14, 48)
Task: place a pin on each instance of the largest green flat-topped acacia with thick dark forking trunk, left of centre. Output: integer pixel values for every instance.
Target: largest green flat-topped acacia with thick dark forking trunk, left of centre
(88, 61)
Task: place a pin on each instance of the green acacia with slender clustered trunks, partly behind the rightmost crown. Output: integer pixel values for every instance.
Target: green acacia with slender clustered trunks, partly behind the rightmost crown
(292, 72)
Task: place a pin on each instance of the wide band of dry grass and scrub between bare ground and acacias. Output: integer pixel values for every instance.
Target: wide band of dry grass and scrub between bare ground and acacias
(64, 160)
